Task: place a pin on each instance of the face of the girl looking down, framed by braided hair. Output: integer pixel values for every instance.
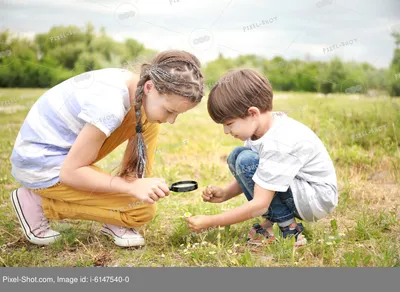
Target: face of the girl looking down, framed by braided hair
(163, 108)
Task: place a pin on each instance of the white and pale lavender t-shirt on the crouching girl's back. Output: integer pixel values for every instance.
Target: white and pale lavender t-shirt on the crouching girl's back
(99, 97)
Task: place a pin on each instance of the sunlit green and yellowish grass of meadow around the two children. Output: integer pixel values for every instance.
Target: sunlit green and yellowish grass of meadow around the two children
(361, 135)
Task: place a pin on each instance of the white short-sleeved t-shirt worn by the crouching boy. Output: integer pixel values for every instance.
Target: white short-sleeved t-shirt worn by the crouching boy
(292, 155)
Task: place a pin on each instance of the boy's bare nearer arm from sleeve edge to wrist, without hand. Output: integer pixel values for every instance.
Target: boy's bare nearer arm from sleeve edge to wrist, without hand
(256, 207)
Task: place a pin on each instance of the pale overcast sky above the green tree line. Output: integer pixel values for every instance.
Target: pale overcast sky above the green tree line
(351, 29)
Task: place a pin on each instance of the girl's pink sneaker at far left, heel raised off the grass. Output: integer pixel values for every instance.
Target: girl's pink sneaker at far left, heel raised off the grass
(35, 225)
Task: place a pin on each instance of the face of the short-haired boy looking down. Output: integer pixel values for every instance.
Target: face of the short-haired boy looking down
(240, 128)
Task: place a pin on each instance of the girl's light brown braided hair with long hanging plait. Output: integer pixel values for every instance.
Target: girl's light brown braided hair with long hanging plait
(176, 72)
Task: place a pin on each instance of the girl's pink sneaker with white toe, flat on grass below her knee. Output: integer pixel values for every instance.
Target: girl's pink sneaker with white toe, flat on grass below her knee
(124, 237)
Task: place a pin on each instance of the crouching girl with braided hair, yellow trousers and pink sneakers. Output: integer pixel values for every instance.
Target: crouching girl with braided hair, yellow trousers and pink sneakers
(81, 120)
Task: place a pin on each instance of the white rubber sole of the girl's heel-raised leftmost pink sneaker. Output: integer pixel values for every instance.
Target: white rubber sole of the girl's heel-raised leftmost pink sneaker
(25, 226)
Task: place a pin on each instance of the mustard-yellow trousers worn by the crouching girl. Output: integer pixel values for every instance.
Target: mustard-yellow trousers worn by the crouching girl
(64, 202)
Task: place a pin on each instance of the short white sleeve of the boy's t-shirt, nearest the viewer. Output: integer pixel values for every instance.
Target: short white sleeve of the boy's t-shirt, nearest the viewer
(278, 167)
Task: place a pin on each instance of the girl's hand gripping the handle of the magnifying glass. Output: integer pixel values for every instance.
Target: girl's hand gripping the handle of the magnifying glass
(149, 190)
